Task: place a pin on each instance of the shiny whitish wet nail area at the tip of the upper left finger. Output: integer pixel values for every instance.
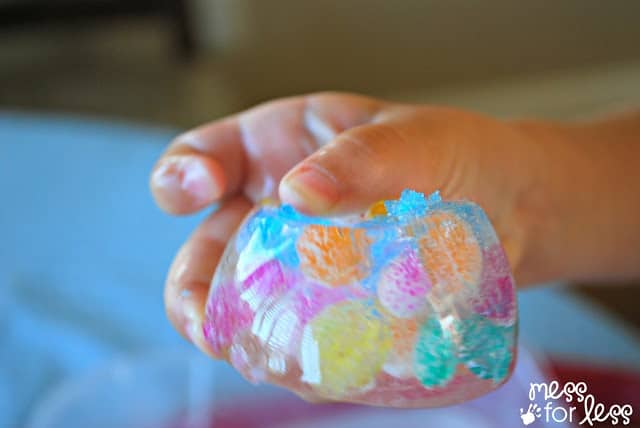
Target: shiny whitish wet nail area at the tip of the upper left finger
(186, 174)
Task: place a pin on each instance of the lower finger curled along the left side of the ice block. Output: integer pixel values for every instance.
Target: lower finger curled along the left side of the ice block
(190, 275)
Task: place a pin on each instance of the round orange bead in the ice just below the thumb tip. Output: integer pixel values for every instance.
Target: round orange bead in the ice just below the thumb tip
(334, 255)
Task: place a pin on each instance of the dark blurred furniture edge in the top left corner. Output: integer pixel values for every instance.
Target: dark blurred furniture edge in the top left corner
(31, 13)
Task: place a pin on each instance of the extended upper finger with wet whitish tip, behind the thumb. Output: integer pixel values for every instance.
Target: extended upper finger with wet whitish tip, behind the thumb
(250, 152)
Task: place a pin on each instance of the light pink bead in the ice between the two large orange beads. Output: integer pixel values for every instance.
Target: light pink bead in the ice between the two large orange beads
(403, 285)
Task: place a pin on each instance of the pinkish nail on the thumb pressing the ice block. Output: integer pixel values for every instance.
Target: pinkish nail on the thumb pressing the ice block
(310, 188)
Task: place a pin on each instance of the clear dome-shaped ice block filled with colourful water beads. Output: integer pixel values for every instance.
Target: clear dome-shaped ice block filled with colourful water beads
(410, 305)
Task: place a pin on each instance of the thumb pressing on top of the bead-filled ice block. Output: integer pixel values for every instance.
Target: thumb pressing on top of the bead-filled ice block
(366, 164)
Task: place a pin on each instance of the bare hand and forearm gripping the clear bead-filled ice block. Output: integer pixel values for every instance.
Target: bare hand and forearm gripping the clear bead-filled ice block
(563, 197)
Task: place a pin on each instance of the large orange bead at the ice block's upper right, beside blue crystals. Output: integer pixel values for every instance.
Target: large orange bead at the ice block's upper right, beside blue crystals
(450, 252)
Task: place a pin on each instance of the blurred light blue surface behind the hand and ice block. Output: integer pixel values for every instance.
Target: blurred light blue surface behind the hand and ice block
(84, 252)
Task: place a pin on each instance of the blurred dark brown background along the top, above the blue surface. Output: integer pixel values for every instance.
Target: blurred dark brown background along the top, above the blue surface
(183, 62)
